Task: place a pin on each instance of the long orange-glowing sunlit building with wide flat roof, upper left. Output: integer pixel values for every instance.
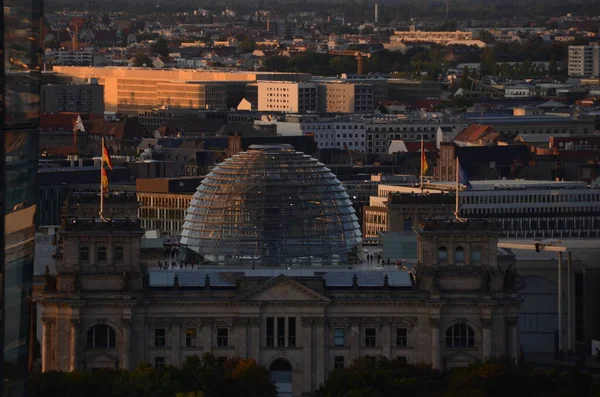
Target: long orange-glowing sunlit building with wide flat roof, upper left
(130, 90)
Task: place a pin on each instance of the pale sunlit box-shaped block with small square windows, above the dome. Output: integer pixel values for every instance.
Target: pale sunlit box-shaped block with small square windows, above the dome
(287, 97)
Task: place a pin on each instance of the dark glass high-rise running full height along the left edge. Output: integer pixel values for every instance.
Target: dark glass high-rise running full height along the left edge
(20, 80)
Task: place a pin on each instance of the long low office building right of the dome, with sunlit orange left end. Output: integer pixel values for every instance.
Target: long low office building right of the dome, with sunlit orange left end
(520, 208)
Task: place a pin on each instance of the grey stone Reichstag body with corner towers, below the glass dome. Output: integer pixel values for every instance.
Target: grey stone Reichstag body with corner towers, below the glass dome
(459, 307)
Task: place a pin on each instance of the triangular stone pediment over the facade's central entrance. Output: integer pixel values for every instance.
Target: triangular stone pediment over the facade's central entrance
(282, 289)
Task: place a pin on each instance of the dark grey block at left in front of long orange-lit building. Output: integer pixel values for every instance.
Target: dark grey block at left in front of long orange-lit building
(87, 99)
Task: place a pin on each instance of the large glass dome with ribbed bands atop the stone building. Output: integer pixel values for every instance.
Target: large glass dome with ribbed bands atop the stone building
(272, 206)
